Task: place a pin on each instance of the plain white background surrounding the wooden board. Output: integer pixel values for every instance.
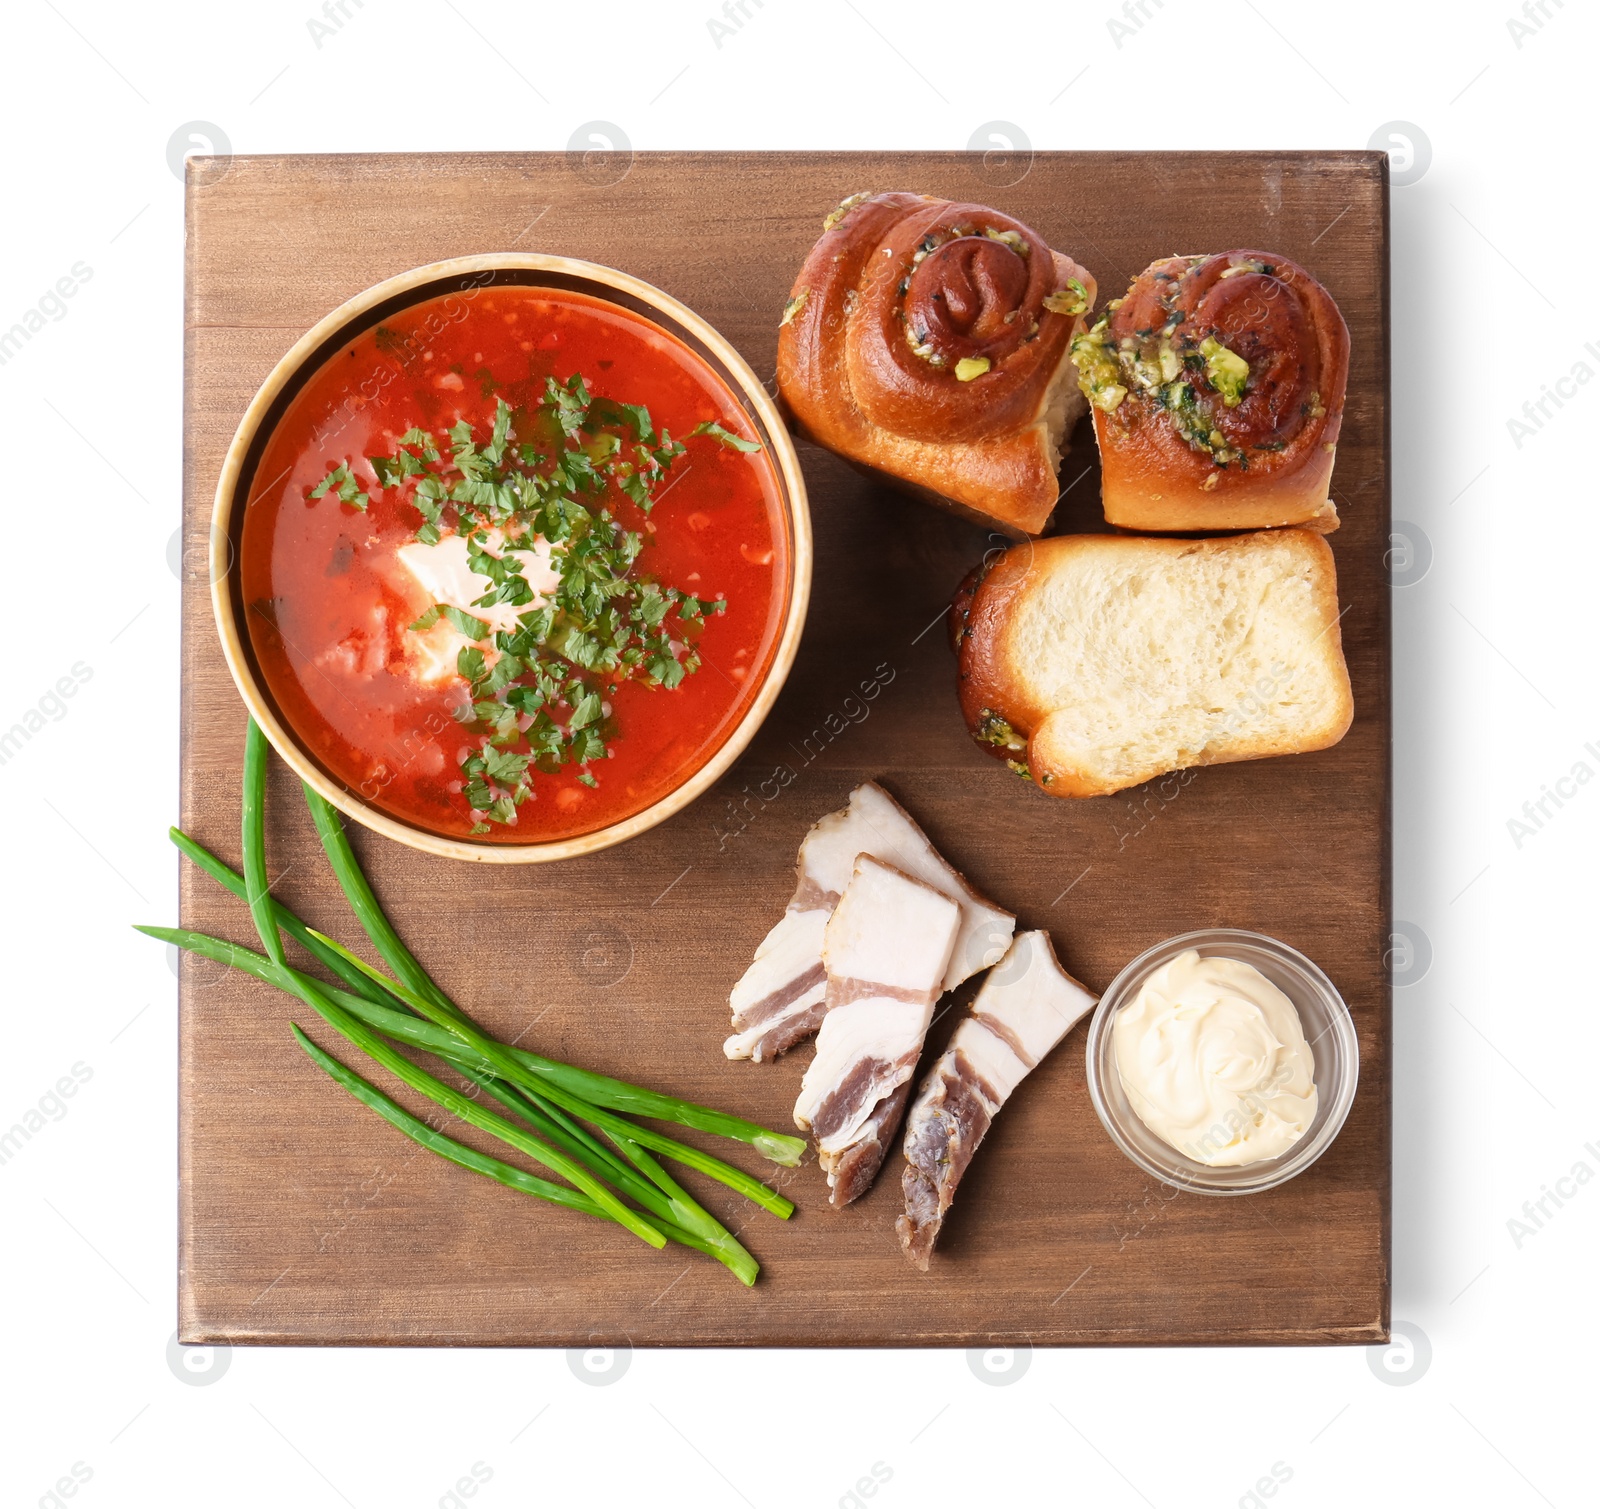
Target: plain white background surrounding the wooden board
(1495, 700)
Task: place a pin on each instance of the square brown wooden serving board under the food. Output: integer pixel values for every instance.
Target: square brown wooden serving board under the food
(308, 1220)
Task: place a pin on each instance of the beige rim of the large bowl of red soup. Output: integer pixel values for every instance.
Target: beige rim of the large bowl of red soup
(748, 388)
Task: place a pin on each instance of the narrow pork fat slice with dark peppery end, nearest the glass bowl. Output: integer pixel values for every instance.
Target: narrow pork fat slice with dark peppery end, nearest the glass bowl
(1023, 1011)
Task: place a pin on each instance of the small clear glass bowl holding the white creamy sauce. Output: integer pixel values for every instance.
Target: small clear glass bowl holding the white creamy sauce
(1324, 1019)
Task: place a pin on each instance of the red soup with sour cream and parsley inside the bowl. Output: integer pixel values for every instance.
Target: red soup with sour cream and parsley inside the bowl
(514, 566)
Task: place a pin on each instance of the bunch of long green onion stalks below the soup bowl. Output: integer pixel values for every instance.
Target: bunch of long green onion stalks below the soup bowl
(554, 1105)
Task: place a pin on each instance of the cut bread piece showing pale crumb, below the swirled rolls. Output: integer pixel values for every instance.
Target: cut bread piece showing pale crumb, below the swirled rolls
(1094, 663)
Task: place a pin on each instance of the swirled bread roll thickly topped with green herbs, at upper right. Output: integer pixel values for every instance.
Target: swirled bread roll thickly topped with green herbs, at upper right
(1218, 393)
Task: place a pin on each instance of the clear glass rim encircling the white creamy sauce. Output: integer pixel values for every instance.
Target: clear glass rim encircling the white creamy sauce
(1338, 1099)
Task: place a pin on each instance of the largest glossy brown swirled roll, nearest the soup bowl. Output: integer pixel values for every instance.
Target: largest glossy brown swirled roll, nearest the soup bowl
(929, 343)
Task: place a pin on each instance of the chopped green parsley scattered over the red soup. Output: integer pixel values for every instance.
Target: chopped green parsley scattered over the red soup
(540, 694)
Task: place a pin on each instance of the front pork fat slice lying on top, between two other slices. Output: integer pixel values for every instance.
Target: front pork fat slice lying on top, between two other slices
(887, 950)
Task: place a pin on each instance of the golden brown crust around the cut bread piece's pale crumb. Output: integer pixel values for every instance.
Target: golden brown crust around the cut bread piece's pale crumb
(999, 700)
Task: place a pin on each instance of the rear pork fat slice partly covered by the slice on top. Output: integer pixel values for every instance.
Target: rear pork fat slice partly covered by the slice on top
(782, 998)
